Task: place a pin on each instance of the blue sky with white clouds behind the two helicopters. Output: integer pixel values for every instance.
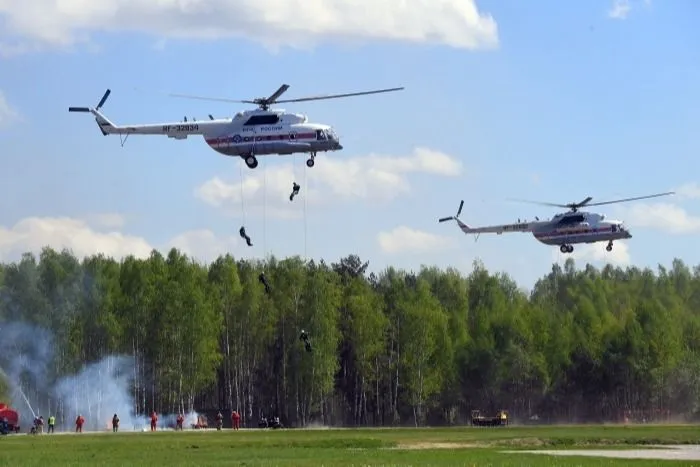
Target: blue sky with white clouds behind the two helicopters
(550, 101)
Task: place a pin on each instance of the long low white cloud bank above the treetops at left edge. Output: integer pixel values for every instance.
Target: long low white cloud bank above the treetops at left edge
(34, 233)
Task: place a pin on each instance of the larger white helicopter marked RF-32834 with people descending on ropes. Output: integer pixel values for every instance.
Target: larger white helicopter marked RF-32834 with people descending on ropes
(249, 133)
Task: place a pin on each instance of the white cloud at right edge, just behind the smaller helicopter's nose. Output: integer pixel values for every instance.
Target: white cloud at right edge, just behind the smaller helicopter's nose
(665, 217)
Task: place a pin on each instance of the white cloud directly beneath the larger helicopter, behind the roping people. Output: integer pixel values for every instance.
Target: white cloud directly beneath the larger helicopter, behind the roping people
(378, 178)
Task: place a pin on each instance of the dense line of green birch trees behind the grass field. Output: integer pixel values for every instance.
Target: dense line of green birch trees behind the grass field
(395, 348)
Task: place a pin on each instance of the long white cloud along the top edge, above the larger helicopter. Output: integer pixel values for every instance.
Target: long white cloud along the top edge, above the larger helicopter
(457, 23)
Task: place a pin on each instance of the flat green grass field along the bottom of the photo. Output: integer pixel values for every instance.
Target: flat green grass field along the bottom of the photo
(346, 447)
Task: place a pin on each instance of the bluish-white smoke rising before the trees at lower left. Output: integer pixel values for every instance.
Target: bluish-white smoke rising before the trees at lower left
(97, 391)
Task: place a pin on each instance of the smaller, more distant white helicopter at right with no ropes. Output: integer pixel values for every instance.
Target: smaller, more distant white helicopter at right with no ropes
(564, 229)
